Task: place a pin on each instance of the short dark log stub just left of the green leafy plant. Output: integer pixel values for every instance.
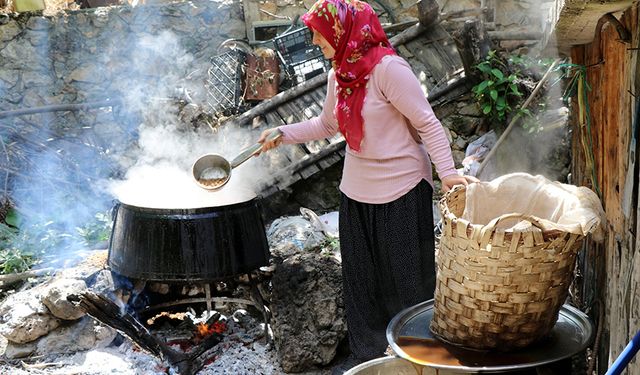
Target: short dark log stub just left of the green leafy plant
(474, 45)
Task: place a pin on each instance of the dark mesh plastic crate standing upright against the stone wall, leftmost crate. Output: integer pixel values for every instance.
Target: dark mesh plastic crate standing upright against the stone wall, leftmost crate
(224, 82)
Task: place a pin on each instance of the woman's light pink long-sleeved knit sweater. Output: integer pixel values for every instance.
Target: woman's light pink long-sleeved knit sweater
(390, 161)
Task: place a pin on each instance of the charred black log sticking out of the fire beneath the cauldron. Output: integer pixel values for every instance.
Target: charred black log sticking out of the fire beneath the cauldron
(188, 363)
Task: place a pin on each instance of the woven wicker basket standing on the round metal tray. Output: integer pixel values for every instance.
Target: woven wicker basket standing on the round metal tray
(498, 289)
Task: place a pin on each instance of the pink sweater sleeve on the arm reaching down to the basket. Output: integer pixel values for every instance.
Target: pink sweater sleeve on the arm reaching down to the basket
(402, 89)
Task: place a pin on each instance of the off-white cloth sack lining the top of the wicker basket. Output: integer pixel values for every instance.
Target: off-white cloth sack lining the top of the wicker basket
(558, 206)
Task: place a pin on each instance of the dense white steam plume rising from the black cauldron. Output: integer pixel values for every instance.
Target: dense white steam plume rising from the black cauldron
(160, 174)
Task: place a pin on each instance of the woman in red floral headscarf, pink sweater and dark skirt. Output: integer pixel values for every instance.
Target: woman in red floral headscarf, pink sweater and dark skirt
(392, 135)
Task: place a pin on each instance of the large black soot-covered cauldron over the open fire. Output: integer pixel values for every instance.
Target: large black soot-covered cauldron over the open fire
(199, 244)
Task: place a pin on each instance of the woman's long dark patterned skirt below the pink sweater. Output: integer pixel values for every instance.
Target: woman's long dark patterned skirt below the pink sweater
(387, 264)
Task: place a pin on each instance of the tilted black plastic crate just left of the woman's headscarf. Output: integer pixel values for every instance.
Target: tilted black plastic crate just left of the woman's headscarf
(300, 57)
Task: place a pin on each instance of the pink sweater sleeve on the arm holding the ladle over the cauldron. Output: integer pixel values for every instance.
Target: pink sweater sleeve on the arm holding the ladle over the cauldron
(324, 125)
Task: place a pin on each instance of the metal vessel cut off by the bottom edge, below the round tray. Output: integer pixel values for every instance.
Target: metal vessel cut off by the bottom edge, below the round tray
(395, 366)
